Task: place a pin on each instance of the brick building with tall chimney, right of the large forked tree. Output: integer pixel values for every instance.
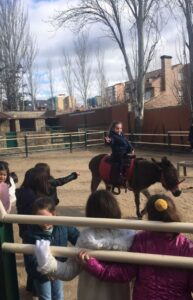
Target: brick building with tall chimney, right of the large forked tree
(165, 86)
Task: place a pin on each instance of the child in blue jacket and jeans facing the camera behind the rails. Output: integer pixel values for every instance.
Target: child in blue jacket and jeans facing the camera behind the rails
(46, 287)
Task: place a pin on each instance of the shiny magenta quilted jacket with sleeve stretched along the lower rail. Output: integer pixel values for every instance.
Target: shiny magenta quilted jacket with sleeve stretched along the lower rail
(152, 283)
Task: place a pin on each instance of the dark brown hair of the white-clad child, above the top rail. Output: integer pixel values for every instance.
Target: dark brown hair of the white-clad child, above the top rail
(102, 204)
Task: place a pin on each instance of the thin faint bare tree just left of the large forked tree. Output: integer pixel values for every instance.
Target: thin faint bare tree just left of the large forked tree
(101, 75)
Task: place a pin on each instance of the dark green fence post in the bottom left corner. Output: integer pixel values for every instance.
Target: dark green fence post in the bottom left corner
(8, 275)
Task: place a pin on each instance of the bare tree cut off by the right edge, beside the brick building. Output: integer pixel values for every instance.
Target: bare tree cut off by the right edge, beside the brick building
(187, 9)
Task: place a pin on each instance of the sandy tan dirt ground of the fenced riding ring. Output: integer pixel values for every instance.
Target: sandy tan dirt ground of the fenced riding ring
(73, 196)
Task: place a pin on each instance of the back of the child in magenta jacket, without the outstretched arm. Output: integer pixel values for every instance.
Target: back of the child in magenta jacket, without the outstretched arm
(165, 283)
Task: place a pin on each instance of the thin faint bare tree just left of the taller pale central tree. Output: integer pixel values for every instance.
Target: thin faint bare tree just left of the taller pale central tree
(67, 72)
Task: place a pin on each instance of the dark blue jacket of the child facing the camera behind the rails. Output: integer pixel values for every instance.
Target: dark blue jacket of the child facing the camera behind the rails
(58, 237)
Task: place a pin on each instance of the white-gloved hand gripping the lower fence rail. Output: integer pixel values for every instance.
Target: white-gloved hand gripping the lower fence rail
(42, 252)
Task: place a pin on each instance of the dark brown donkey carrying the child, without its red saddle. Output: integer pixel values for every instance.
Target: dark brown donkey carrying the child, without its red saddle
(145, 173)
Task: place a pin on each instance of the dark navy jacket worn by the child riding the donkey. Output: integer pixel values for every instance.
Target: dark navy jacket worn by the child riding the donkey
(119, 144)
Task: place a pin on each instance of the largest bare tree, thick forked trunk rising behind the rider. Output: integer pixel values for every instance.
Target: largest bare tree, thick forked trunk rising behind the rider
(141, 15)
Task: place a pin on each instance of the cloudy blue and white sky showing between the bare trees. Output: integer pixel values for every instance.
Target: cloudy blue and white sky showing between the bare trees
(51, 42)
